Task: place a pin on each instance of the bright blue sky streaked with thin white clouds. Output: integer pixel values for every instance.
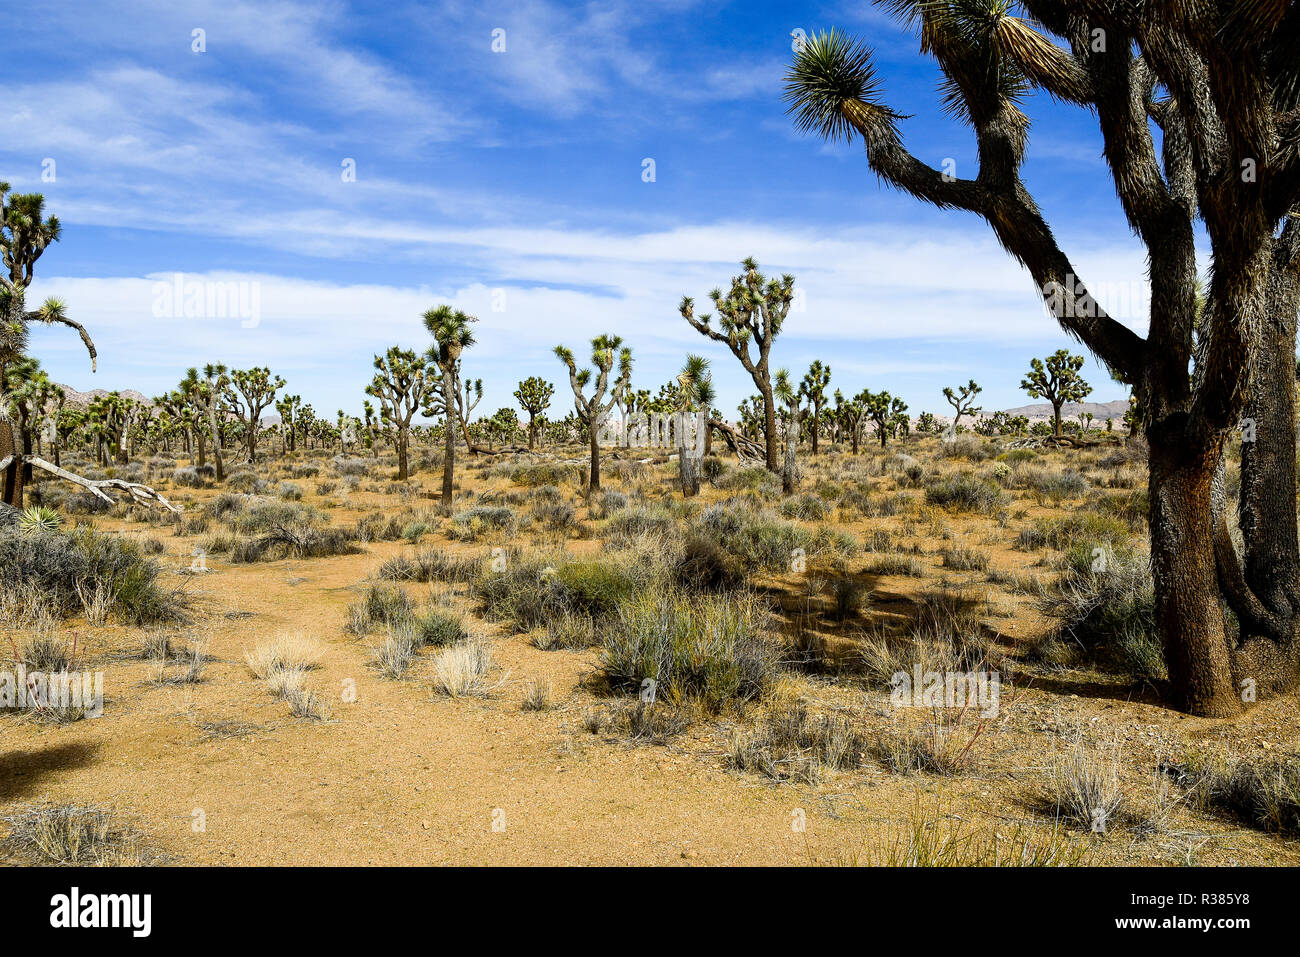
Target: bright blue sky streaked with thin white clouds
(510, 184)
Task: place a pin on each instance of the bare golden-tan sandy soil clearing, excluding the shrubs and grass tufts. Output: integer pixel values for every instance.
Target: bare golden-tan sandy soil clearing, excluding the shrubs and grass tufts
(401, 777)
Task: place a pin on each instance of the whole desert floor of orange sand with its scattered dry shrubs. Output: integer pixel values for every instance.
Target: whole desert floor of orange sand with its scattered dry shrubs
(331, 669)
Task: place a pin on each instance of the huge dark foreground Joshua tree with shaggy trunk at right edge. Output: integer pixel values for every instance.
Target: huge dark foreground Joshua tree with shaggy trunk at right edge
(1221, 84)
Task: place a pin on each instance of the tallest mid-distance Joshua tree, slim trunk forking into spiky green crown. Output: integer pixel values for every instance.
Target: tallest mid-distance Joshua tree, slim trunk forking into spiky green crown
(753, 311)
